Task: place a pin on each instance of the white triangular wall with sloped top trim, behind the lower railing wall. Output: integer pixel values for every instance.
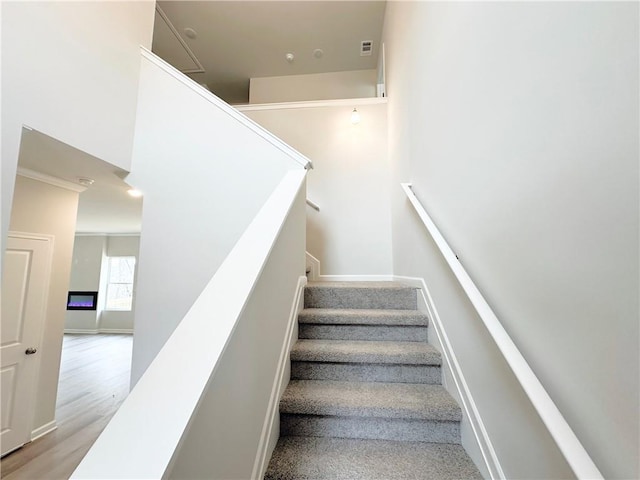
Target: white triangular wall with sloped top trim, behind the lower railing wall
(204, 175)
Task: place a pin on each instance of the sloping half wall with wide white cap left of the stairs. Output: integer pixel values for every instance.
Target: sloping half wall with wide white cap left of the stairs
(202, 407)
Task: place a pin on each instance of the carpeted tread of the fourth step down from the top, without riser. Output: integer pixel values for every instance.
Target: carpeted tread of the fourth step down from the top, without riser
(363, 399)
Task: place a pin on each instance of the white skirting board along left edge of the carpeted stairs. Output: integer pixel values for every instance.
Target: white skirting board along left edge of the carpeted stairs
(271, 427)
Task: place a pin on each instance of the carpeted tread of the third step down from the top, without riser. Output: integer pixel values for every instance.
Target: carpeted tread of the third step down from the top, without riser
(347, 351)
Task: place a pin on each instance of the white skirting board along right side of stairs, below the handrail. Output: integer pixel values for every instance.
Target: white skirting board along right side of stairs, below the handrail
(470, 411)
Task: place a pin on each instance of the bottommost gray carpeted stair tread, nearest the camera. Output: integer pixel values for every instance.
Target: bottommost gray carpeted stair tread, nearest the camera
(306, 458)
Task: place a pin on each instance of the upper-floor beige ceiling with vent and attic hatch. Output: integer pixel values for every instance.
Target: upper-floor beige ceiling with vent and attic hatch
(238, 40)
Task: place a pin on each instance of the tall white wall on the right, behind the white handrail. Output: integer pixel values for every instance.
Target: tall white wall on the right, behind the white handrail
(517, 124)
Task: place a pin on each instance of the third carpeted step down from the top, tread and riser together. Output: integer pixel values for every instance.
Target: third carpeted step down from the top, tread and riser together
(362, 361)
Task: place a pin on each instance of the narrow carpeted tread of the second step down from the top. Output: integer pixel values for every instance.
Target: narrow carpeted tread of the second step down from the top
(341, 316)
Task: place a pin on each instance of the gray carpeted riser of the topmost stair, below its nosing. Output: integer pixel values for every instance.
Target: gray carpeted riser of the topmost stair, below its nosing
(358, 298)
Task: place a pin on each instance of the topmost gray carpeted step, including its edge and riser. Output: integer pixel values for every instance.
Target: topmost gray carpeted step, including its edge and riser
(360, 295)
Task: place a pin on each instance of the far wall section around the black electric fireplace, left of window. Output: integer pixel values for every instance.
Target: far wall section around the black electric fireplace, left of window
(86, 270)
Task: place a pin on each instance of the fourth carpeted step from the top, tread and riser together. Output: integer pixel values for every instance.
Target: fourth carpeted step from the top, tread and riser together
(385, 411)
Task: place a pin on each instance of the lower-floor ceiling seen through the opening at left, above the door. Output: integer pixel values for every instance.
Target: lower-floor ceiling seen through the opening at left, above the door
(105, 206)
